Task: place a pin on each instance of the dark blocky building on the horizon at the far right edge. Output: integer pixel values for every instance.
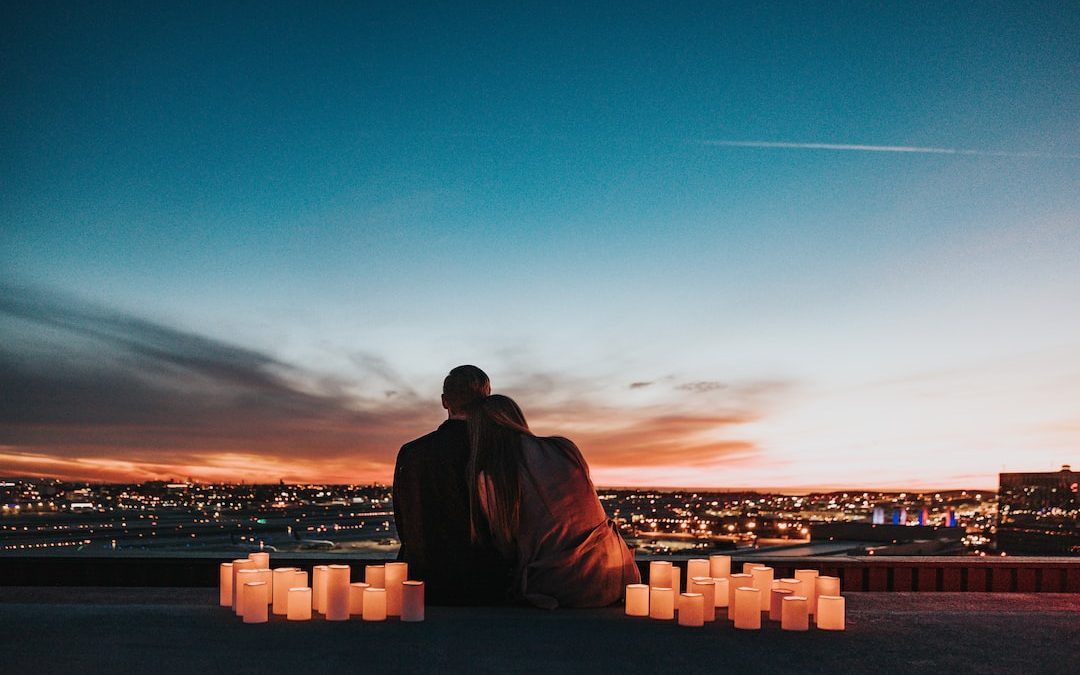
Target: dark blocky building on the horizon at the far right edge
(1039, 512)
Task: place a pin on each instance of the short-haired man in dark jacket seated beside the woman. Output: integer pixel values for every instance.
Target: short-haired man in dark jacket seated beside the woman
(431, 505)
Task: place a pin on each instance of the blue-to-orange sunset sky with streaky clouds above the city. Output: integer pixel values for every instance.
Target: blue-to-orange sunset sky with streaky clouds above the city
(717, 245)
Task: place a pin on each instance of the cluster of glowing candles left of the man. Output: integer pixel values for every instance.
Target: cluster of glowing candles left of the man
(253, 591)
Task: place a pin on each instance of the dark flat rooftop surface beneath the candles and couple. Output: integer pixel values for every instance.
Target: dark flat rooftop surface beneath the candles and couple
(165, 630)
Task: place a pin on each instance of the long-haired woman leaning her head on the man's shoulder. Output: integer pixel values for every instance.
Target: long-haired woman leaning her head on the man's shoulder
(534, 501)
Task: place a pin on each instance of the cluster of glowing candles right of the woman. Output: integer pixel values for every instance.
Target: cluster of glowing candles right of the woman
(746, 597)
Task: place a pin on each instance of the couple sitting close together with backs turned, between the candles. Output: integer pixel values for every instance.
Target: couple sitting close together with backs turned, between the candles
(488, 512)
